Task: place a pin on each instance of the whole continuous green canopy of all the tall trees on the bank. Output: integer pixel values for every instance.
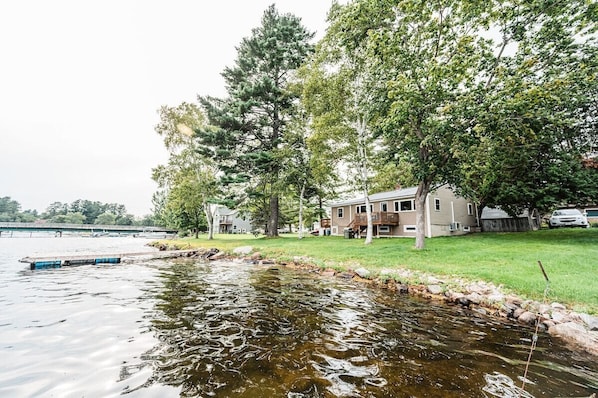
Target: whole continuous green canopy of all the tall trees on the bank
(496, 98)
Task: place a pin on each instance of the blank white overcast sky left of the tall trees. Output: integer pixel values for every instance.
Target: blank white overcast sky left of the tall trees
(81, 83)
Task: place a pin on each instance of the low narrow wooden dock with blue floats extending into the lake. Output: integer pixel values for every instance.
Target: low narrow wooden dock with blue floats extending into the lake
(102, 258)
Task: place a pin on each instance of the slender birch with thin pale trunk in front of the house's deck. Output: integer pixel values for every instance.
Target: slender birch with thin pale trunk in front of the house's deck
(338, 94)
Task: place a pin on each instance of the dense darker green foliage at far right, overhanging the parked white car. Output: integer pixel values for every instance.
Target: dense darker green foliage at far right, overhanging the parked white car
(534, 119)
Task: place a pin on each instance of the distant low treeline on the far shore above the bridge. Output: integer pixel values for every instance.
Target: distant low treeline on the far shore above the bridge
(77, 212)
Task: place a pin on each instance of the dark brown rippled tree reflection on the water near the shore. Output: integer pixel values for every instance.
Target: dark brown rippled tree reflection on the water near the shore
(234, 330)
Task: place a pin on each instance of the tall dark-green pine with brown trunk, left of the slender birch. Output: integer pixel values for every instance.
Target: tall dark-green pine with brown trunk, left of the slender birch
(251, 121)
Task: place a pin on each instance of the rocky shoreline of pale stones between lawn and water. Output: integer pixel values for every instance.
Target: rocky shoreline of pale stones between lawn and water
(578, 330)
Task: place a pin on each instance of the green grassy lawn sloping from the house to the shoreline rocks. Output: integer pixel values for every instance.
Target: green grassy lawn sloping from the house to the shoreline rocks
(570, 257)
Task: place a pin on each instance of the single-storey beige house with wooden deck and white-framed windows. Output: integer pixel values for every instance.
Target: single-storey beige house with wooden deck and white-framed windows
(393, 214)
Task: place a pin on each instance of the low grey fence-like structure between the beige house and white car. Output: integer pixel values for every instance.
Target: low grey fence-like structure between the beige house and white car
(497, 220)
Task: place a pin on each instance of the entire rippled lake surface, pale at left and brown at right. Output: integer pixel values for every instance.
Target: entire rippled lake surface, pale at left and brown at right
(229, 329)
